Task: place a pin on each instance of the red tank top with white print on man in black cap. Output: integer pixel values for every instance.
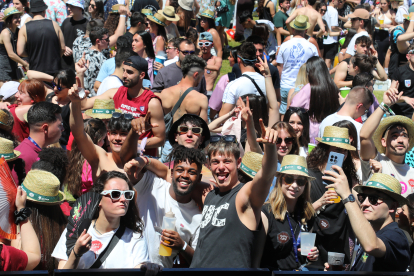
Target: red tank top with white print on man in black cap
(137, 107)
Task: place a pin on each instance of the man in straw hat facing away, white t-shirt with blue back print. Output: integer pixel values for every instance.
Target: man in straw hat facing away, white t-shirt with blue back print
(292, 55)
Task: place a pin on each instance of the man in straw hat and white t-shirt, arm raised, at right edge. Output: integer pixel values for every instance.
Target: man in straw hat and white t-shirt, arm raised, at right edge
(387, 141)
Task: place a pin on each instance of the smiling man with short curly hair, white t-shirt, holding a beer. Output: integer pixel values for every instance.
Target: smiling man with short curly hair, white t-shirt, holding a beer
(156, 197)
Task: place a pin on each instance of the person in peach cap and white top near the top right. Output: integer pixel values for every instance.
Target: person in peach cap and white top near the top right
(359, 20)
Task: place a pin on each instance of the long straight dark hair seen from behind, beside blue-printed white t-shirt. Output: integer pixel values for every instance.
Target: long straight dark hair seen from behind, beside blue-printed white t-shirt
(324, 92)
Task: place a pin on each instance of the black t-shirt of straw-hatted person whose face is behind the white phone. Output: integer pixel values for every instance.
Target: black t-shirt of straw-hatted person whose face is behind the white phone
(332, 226)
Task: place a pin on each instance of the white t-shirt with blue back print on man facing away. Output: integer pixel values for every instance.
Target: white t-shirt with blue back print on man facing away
(292, 55)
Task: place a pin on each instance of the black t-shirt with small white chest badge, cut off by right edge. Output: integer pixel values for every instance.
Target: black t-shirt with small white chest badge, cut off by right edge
(405, 76)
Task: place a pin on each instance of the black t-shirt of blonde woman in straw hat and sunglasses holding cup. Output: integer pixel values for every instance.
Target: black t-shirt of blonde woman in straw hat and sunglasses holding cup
(278, 253)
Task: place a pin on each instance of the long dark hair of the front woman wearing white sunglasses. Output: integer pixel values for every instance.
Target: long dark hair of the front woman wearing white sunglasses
(131, 220)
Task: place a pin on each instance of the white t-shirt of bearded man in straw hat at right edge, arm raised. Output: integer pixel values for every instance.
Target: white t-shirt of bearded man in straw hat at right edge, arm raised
(402, 172)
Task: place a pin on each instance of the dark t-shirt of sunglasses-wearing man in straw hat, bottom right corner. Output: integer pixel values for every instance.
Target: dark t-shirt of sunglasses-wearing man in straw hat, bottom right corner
(397, 254)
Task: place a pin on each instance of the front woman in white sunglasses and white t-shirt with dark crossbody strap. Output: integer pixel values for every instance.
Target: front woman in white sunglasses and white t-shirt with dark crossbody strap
(117, 208)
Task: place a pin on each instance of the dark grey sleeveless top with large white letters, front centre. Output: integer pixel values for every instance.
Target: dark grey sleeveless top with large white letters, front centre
(224, 241)
